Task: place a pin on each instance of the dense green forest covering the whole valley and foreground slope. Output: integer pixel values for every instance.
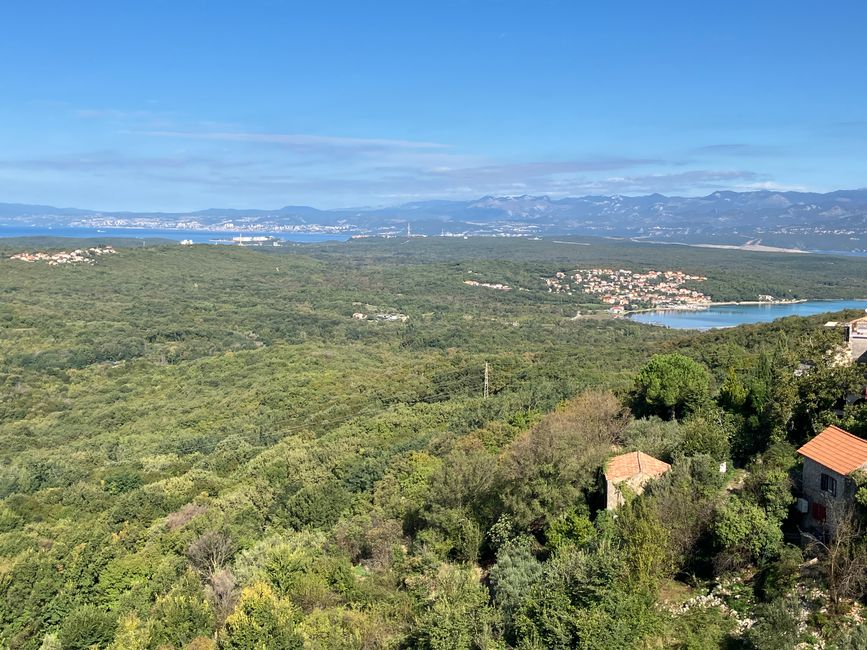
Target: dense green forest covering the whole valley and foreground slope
(202, 448)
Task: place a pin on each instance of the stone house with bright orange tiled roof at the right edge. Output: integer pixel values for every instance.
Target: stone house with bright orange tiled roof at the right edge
(830, 459)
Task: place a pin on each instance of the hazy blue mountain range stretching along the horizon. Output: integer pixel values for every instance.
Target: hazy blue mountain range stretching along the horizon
(802, 220)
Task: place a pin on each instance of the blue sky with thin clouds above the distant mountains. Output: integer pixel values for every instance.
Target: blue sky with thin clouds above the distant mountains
(190, 104)
